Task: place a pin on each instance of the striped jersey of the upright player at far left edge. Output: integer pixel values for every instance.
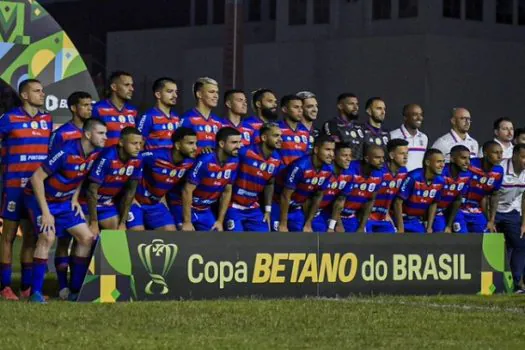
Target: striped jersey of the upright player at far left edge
(25, 145)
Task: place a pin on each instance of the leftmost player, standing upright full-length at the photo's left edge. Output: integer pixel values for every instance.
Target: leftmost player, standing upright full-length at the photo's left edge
(25, 133)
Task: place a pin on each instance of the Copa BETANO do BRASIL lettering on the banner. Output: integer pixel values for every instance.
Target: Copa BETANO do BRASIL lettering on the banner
(328, 267)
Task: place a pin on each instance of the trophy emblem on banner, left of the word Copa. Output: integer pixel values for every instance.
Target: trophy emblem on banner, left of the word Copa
(157, 249)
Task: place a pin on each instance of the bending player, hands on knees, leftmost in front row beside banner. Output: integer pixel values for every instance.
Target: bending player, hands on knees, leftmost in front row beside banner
(51, 197)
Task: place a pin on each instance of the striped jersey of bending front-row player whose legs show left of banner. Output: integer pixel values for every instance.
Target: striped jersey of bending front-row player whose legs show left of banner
(66, 168)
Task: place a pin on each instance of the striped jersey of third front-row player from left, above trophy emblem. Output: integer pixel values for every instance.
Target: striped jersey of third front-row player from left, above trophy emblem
(161, 175)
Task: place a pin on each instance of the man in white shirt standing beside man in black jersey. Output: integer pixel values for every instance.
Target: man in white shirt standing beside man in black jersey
(409, 131)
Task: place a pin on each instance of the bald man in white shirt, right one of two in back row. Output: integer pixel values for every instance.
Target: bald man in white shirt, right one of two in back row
(458, 135)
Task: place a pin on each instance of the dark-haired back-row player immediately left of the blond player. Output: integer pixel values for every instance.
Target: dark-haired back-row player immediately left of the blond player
(158, 124)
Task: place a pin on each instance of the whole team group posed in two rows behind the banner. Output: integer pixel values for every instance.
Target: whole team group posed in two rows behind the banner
(111, 168)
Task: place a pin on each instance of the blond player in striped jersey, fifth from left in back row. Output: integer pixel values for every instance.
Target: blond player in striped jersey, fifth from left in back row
(200, 118)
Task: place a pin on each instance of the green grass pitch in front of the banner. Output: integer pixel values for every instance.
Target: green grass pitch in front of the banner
(462, 322)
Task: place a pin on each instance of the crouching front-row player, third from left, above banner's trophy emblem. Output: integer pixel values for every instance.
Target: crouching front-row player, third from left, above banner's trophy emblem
(164, 171)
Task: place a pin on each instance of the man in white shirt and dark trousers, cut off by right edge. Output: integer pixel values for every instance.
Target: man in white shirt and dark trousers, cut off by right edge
(511, 207)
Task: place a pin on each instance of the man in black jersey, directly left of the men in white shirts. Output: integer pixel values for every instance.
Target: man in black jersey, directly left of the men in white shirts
(374, 133)
